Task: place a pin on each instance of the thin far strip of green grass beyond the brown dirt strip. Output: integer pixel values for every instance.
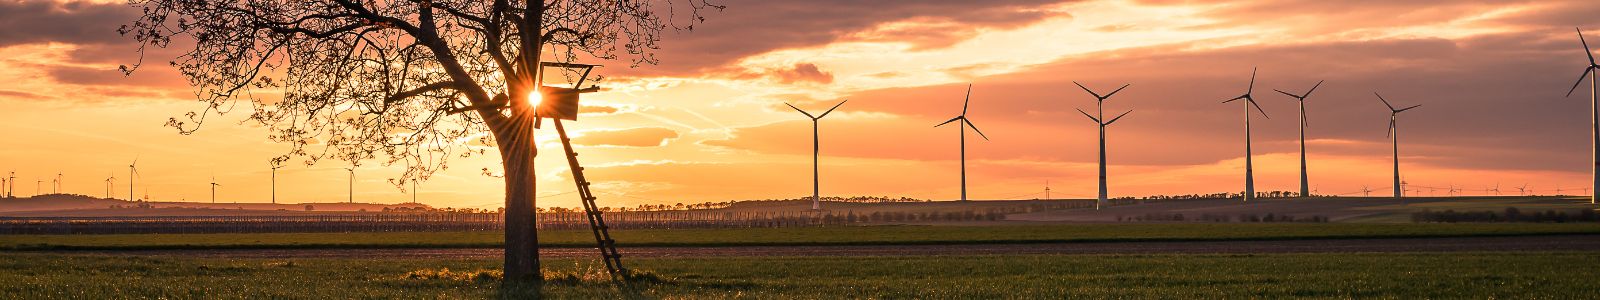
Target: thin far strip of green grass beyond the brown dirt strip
(793, 237)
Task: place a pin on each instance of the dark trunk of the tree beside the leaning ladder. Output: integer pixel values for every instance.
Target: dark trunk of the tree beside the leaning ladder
(518, 152)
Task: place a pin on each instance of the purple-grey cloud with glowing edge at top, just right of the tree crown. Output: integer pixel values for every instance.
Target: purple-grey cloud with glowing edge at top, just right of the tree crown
(754, 26)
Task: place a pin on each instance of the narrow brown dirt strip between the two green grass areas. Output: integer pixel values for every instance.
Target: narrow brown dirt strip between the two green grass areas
(1394, 245)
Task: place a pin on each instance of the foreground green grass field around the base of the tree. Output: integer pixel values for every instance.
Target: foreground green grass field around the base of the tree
(1458, 275)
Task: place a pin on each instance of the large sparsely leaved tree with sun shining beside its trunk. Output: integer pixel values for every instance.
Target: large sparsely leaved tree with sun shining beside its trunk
(409, 82)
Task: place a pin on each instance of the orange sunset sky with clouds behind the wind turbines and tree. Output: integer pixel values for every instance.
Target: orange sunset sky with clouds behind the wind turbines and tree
(710, 124)
